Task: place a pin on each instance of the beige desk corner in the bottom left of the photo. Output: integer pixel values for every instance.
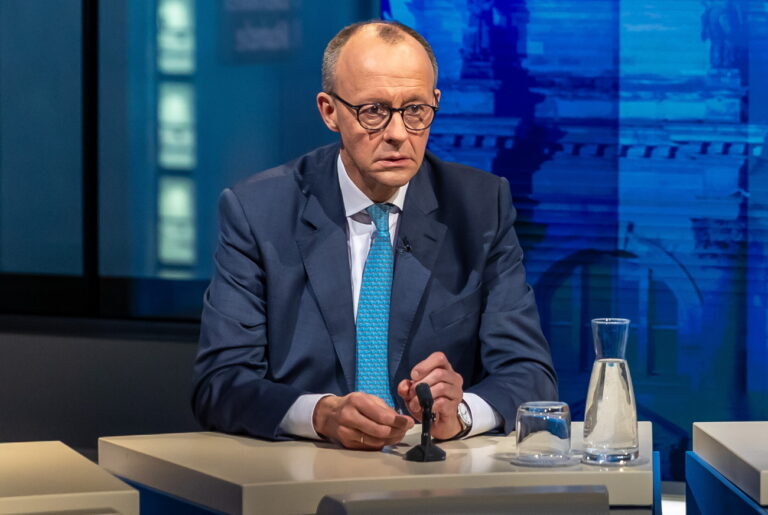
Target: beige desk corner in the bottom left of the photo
(49, 477)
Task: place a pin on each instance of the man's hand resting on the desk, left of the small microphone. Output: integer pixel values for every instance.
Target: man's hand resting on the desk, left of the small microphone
(359, 421)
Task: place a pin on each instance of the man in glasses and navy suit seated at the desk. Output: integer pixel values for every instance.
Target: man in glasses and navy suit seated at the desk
(346, 277)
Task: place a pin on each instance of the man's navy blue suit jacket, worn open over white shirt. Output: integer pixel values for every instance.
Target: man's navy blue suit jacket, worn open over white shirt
(278, 319)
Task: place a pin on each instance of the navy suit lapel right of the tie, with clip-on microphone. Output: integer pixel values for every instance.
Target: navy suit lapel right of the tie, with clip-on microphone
(413, 262)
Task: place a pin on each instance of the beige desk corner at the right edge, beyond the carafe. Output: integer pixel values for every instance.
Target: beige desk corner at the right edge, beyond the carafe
(739, 451)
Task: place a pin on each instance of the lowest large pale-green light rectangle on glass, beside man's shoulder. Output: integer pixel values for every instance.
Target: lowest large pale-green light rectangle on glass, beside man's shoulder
(176, 221)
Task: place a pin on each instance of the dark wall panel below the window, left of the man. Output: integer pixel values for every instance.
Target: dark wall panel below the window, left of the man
(78, 388)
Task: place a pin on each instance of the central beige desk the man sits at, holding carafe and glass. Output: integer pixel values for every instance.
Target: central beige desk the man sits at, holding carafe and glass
(243, 475)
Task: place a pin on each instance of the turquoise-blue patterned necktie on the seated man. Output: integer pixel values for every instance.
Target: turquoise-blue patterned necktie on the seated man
(373, 310)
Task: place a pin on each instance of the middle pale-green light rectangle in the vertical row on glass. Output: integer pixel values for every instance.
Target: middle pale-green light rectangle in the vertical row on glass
(176, 126)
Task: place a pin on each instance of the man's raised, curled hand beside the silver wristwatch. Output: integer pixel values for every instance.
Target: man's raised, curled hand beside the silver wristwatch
(446, 387)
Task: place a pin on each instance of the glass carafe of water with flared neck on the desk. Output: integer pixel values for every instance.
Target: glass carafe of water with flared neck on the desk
(610, 419)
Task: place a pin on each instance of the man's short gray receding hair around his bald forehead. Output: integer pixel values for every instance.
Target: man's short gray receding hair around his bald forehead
(391, 32)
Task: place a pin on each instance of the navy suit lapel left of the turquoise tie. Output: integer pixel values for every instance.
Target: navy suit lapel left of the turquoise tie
(322, 241)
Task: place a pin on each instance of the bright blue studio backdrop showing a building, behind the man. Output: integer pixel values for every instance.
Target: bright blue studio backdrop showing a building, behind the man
(633, 133)
